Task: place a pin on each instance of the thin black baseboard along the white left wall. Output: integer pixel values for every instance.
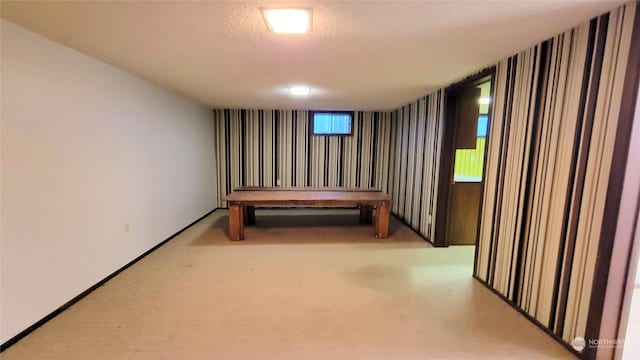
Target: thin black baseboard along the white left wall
(79, 297)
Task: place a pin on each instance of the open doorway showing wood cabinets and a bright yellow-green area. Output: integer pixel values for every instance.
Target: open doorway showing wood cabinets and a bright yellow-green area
(463, 160)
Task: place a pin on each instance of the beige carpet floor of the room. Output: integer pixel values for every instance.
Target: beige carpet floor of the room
(305, 284)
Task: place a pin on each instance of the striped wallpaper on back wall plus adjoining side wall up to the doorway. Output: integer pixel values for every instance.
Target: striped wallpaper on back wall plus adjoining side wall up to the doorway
(396, 152)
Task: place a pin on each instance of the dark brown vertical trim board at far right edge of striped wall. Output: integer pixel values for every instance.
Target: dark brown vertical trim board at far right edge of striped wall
(614, 190)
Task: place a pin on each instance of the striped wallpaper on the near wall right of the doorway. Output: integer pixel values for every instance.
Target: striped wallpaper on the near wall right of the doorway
(554, 124)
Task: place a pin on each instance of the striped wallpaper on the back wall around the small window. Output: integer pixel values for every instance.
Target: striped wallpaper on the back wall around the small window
(275, 148)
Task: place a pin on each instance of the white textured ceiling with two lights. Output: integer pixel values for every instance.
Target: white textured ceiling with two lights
(359, 55)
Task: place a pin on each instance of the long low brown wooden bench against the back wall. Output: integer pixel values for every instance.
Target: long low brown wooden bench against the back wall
(243, 201)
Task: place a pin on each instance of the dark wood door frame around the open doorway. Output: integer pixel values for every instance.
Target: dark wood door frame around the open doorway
(446, 160)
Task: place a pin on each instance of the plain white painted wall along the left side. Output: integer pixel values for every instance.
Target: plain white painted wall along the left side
(87, 148)
